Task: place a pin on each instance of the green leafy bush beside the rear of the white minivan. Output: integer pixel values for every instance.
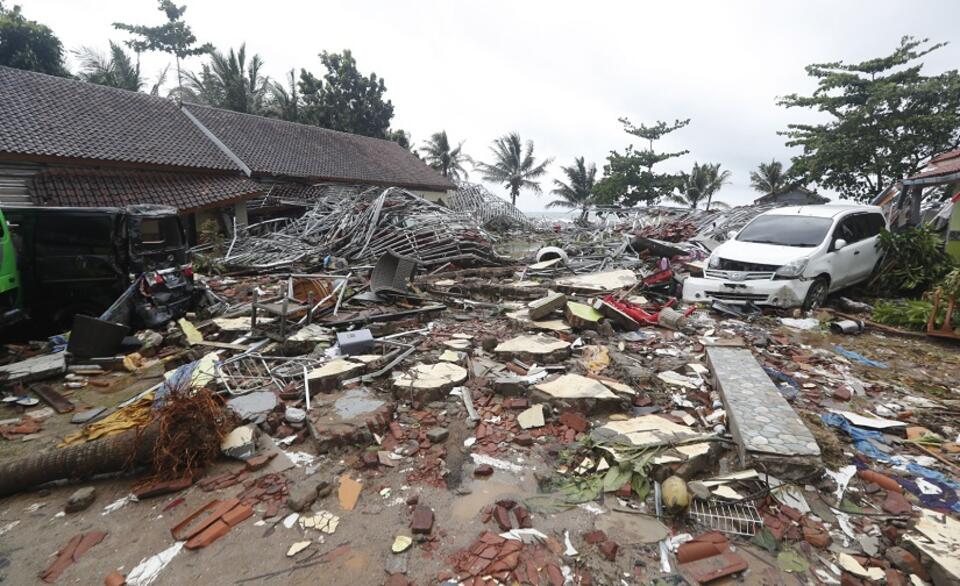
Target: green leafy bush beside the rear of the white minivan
(913, 260)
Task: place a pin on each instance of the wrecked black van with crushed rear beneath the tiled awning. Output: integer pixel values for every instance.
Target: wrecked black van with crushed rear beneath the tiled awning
(80, 261)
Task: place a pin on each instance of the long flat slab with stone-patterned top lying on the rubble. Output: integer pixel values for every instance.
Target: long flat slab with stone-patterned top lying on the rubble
(760, 419)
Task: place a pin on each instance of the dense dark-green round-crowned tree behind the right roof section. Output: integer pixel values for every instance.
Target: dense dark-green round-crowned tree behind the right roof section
(345, 99)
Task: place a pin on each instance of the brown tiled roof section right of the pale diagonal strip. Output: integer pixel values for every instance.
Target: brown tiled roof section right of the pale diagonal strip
(277, 148)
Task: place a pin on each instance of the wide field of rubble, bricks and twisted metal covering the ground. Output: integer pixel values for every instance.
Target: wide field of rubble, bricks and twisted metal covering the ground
(559, 419)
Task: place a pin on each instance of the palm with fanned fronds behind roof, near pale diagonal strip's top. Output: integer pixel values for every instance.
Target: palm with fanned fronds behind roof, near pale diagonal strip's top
(229, 81)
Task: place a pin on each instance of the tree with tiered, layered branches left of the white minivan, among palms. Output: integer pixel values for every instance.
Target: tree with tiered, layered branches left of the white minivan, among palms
(629, 178)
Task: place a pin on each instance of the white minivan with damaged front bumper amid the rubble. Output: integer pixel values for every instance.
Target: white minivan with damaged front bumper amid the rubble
(792, 256)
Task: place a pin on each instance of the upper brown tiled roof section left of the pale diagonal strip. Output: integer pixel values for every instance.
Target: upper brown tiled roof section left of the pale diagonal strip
(48, 116)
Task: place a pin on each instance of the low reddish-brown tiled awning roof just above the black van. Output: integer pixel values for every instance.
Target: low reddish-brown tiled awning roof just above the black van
(96, 187)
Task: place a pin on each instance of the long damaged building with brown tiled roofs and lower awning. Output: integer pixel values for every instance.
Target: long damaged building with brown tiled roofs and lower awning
(71, 143)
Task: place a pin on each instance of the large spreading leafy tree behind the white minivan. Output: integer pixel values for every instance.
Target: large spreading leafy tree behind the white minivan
(885, 120)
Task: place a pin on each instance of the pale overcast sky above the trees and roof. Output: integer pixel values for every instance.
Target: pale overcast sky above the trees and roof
(559, 73)
